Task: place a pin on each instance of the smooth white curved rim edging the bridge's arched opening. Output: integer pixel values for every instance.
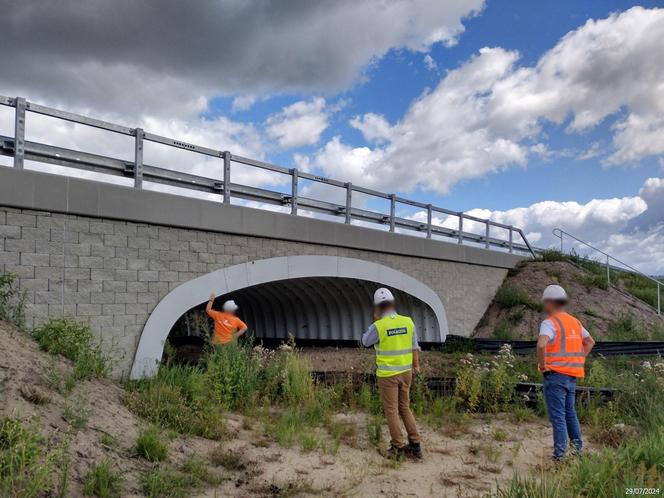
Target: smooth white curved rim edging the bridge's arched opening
(232, 278)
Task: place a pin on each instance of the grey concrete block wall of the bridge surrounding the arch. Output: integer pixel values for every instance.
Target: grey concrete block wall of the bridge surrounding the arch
(113, 273)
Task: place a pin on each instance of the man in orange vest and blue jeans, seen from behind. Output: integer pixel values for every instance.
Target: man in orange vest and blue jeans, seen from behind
(562, 348)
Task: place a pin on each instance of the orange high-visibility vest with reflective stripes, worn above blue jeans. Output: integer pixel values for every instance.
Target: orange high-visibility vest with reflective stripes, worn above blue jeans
(565, 354)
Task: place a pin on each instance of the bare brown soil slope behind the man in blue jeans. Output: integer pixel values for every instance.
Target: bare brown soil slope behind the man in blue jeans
(597, 308)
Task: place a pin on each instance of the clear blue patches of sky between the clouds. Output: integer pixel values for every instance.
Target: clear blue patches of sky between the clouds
(394, 81)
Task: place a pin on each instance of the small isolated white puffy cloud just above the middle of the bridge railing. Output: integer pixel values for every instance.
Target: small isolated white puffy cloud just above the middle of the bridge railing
(298, 124)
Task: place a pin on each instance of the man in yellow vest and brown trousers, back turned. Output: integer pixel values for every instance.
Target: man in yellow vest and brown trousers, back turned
(397, 357)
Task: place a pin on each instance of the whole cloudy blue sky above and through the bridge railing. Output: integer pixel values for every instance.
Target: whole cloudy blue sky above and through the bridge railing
(536, 114)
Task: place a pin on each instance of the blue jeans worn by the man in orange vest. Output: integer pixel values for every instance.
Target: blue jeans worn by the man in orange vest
(559, 394)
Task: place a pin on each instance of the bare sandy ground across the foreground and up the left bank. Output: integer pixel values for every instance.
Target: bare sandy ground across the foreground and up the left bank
(459, 460)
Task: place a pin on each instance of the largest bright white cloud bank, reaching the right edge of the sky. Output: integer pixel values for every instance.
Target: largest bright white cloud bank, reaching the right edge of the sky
(485, 115)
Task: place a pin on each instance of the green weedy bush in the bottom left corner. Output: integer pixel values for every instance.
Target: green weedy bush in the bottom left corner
(25, 466)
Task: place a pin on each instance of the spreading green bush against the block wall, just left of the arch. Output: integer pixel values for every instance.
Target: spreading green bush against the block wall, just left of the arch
(73, 340)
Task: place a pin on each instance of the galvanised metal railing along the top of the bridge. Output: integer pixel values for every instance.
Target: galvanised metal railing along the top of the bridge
(22, 150)
